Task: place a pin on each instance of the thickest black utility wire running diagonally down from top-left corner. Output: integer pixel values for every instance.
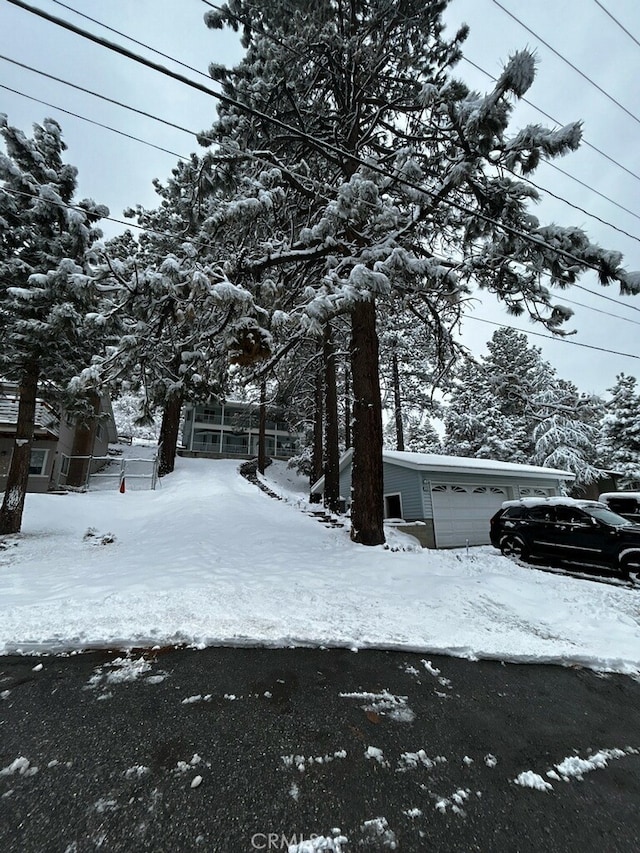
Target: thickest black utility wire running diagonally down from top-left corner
(321, 144)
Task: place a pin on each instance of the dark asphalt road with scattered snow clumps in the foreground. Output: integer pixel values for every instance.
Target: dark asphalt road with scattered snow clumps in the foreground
(238, 750)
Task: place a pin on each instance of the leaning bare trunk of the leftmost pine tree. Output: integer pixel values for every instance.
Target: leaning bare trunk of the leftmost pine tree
(18, 476)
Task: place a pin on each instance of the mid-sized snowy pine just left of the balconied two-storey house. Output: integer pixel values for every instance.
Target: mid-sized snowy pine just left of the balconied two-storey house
(181, 316)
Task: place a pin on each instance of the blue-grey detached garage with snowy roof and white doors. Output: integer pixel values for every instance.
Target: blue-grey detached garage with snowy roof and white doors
(447, 501)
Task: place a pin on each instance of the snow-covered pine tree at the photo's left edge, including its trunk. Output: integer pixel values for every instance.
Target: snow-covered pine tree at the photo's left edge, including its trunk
(45, 290)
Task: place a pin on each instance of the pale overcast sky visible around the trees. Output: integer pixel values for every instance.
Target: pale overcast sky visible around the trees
(118, 172)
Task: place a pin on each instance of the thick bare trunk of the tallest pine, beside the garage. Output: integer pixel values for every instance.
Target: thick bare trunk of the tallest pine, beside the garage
(367, 510)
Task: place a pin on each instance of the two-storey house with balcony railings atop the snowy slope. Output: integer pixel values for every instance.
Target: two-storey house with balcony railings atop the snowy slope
(218, 429)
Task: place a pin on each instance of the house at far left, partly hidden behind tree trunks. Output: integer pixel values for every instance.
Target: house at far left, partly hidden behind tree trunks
(53, 439)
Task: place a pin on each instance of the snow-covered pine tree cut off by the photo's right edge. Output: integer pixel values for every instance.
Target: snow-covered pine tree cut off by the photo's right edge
(620, 433)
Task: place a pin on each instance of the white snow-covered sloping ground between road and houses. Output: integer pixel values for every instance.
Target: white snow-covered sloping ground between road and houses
(210, 559)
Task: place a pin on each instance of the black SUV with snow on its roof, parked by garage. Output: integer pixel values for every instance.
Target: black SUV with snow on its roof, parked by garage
(584, 532)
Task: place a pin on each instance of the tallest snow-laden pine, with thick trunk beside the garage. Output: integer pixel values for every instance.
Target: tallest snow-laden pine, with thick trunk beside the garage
(402, 180)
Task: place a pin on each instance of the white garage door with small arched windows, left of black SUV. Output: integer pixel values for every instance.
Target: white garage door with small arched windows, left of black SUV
(461, 514)
